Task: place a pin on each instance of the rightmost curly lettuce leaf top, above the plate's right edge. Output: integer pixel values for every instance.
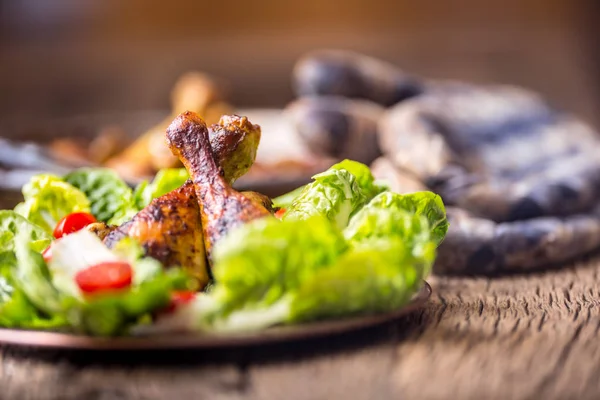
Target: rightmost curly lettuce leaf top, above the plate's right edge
(388, 214)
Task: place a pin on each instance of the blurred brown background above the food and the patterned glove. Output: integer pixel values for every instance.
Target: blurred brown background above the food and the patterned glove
(67, 57)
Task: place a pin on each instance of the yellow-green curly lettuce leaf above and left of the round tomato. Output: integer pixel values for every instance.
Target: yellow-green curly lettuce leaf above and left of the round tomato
(48, 199)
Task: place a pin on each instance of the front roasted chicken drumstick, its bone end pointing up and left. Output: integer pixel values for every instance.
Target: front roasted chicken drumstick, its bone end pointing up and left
(221, 207)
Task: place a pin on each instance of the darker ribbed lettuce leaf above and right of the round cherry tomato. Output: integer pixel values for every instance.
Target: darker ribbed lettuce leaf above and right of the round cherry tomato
(111, 199)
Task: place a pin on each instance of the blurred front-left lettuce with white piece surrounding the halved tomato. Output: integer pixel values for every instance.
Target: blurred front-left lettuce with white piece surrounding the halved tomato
(37, 295)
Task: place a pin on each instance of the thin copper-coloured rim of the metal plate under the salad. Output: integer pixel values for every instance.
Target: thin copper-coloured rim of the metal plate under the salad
(53, 340)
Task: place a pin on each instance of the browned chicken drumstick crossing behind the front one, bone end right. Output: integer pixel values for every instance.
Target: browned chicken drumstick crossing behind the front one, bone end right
(170, 227)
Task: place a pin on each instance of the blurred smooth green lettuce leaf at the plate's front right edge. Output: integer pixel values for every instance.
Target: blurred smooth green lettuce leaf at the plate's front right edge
(366, 280)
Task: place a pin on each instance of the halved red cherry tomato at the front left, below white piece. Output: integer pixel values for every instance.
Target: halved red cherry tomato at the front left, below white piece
(105, 277)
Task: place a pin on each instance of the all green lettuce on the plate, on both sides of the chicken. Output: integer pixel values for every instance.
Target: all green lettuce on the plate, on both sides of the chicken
(346, 245)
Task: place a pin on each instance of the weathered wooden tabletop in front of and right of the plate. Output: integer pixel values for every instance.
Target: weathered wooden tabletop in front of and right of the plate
(516, 337)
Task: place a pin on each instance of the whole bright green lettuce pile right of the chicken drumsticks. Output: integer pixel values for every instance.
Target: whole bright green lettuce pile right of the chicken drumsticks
(300, 269)
